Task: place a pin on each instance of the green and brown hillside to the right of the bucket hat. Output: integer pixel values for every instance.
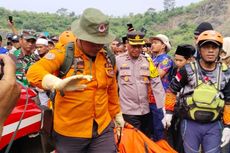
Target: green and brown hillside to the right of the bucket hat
(180, 23)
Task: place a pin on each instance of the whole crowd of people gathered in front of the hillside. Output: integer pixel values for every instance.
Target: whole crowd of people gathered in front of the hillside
(184, 98)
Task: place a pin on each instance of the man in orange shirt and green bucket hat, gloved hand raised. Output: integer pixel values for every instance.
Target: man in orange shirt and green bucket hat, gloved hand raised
(83, 114)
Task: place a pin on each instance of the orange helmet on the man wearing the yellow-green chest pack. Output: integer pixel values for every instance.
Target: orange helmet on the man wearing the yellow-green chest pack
(210, 36)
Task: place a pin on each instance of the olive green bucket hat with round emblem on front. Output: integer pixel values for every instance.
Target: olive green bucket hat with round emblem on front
(93, 26)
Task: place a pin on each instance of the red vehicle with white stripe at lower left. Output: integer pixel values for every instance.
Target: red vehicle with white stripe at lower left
(30, 116)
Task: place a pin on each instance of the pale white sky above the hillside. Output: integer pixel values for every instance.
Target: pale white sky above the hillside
(109, 7)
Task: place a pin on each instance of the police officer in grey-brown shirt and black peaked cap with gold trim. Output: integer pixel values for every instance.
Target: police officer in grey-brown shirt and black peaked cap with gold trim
(135, 72)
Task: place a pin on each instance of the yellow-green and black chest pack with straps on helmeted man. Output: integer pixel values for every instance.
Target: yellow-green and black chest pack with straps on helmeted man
(206, 103)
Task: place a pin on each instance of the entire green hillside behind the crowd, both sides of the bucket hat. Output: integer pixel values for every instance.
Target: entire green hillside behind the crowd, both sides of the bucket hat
(178, 23)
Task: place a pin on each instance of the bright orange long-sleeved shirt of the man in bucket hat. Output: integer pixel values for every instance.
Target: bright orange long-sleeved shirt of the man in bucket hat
(75, 111)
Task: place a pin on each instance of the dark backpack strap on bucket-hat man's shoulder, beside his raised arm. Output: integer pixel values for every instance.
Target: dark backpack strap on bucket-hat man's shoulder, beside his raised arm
(68, 61)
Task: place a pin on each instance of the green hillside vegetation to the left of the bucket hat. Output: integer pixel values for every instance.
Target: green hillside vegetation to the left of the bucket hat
(53, 23)
